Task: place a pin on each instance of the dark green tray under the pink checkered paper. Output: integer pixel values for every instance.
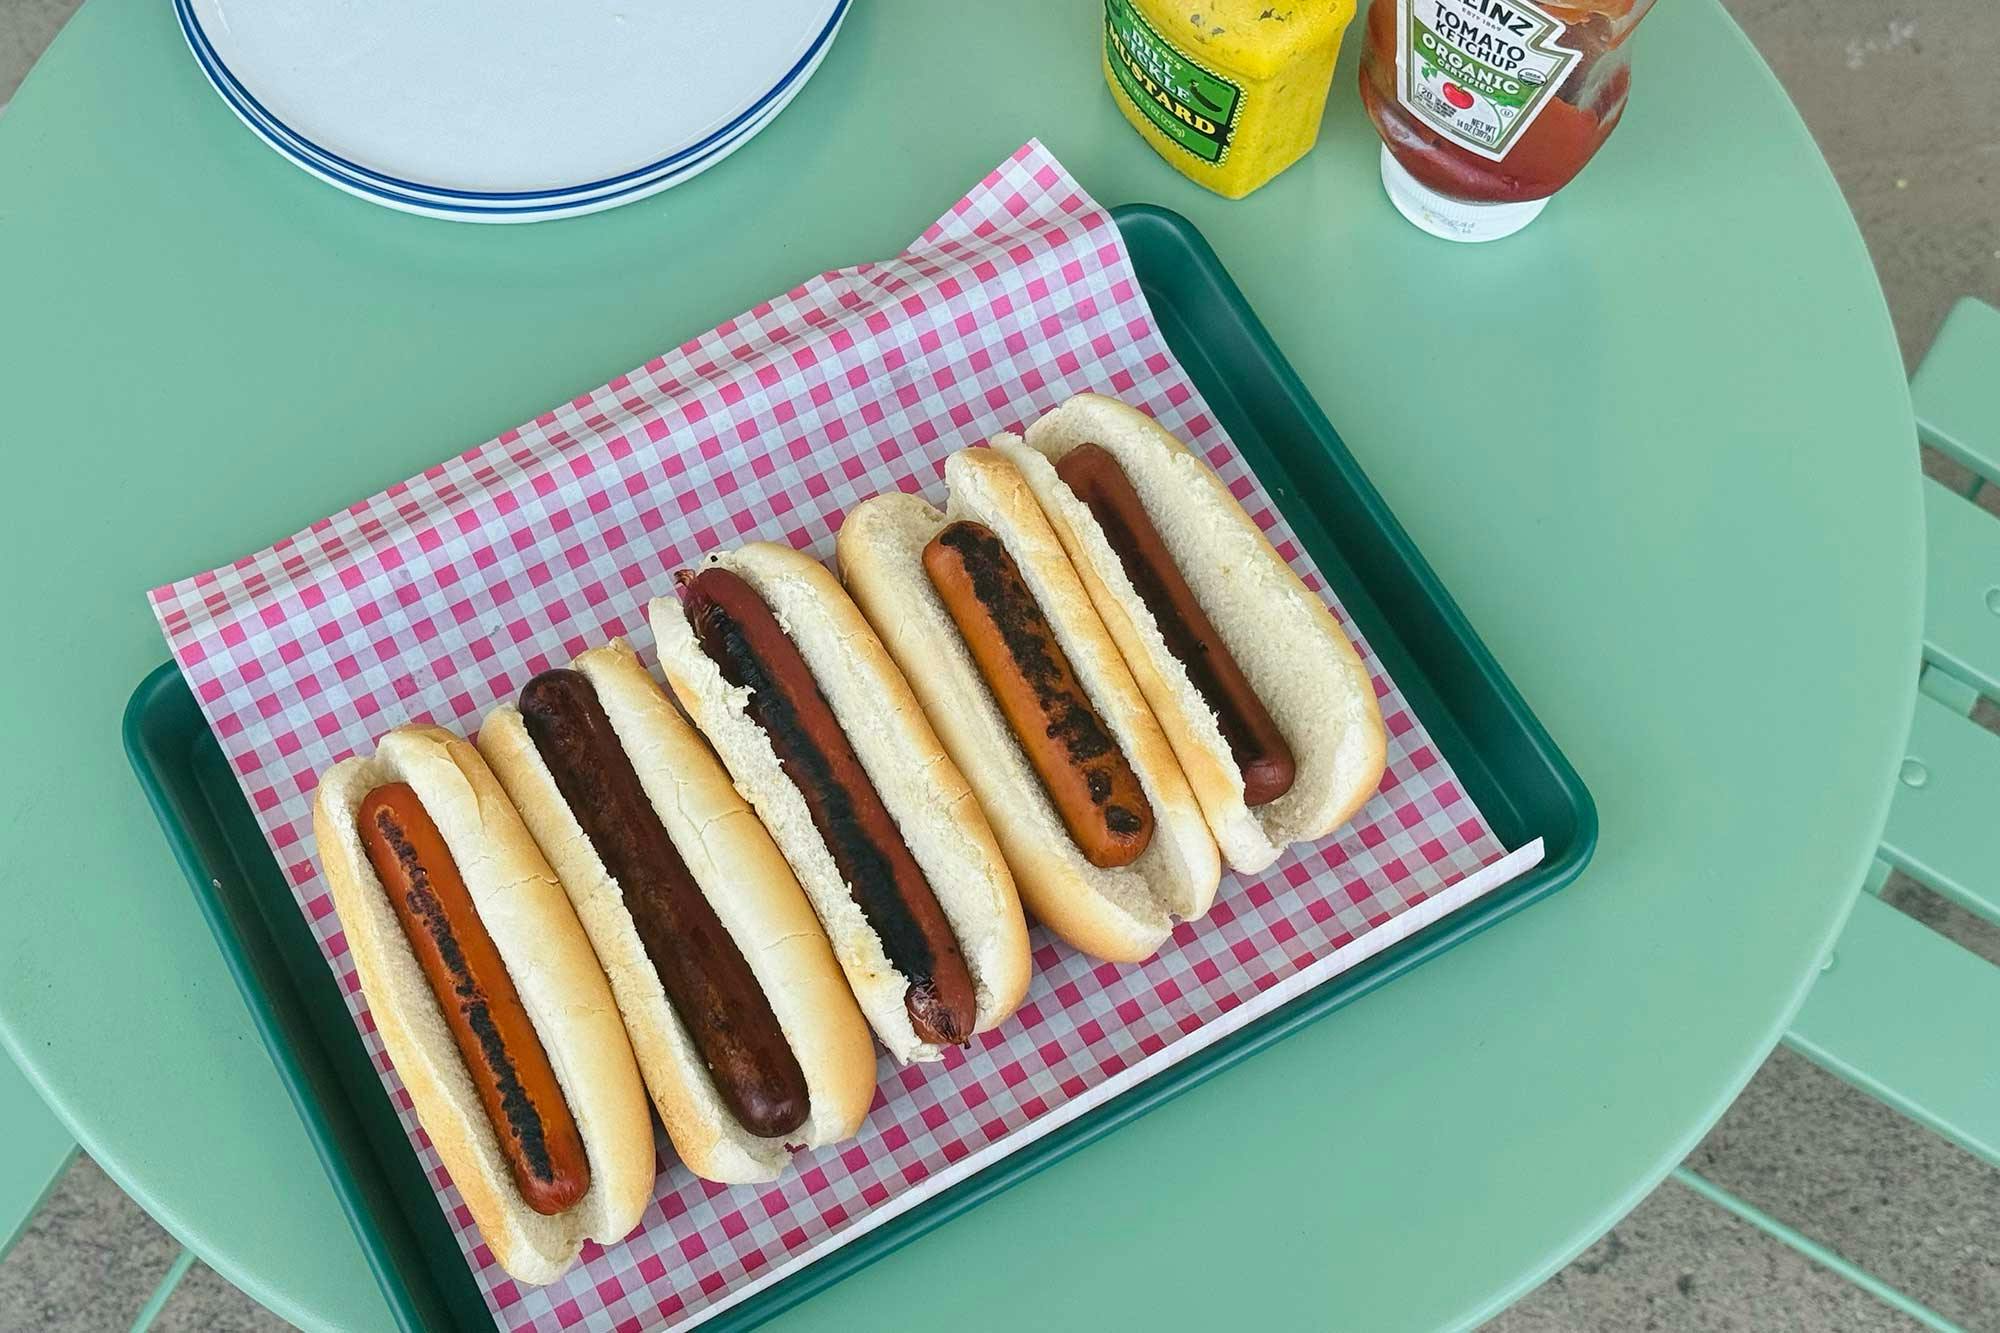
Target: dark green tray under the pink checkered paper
(1503, 756)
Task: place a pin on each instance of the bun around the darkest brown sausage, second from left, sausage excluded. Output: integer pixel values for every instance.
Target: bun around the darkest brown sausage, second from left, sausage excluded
(745, 880)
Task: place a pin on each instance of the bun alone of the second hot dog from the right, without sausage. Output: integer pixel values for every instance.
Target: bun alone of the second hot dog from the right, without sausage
(1113, 914)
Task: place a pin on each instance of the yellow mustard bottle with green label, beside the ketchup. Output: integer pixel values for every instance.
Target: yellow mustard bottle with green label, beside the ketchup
(1227, 91)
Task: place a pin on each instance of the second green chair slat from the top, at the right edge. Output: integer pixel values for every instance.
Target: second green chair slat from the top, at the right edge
(1963, 587)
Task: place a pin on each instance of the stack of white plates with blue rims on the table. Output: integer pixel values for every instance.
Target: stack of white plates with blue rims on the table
(507, 111)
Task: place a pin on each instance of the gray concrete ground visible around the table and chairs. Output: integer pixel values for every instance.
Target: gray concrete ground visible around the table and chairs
(1905, 107)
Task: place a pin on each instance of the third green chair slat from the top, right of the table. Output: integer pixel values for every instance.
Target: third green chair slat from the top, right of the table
(1943, 824)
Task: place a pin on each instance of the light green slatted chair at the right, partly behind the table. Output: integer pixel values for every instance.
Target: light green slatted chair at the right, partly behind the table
(1899, 1010)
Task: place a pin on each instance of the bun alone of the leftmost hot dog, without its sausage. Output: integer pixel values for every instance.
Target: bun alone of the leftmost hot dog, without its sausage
(553, 968)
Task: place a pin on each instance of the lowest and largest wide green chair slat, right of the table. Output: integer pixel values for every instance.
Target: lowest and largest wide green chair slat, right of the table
(1909, 1016)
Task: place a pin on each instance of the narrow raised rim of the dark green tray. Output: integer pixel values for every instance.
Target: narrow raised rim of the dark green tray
(1563, 864)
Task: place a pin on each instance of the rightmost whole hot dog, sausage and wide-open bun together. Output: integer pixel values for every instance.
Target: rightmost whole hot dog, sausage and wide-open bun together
(1269, 708)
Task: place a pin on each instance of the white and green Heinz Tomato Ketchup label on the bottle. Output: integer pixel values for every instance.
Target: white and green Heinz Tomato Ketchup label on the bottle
(1481, 71)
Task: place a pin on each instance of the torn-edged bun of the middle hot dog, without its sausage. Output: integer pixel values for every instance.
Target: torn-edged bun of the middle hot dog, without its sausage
(917, 780)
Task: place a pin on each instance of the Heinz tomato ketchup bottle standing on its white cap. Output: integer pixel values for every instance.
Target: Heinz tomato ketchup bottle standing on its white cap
(1489, 107)
